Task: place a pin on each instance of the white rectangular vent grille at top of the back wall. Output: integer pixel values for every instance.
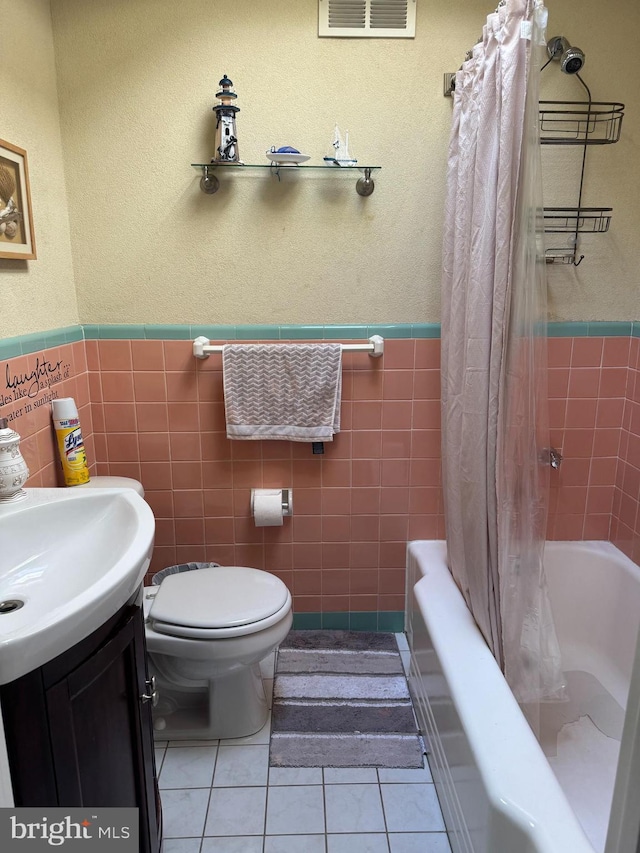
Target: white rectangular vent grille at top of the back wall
(367, 18)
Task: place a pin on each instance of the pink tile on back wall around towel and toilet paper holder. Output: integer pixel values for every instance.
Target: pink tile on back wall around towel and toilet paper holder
(158, 416)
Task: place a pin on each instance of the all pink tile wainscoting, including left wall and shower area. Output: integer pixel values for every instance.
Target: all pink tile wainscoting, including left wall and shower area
(149, 410)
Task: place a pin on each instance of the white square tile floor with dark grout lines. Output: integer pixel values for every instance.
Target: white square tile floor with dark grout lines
(222, 797)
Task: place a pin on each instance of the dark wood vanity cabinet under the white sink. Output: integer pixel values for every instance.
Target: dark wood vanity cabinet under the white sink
(79, 729)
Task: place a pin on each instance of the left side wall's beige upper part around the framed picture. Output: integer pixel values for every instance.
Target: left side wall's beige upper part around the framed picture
(35, 295)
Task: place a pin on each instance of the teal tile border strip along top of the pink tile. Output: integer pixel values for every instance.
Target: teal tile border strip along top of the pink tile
(25, 344)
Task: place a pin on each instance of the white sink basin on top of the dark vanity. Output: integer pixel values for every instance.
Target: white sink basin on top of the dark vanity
(69, 559)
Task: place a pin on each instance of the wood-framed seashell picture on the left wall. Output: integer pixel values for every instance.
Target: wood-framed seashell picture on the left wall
(17, 239)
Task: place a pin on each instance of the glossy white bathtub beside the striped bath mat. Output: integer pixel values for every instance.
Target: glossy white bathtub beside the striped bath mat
(497, 788)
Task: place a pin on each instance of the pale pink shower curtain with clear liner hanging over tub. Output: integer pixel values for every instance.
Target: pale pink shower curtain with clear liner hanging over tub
(494, 352)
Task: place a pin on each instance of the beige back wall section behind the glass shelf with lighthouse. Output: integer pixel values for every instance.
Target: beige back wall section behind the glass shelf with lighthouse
(137, 80)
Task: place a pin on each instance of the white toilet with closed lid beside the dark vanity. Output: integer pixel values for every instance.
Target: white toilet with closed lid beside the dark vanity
(207, 630)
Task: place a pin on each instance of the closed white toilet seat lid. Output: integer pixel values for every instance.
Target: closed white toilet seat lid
(218, 597)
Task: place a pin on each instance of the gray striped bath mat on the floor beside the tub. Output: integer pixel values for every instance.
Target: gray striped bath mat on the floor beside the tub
(340, 699)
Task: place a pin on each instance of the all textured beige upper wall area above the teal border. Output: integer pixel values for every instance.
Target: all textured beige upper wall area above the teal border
(136, 81)
